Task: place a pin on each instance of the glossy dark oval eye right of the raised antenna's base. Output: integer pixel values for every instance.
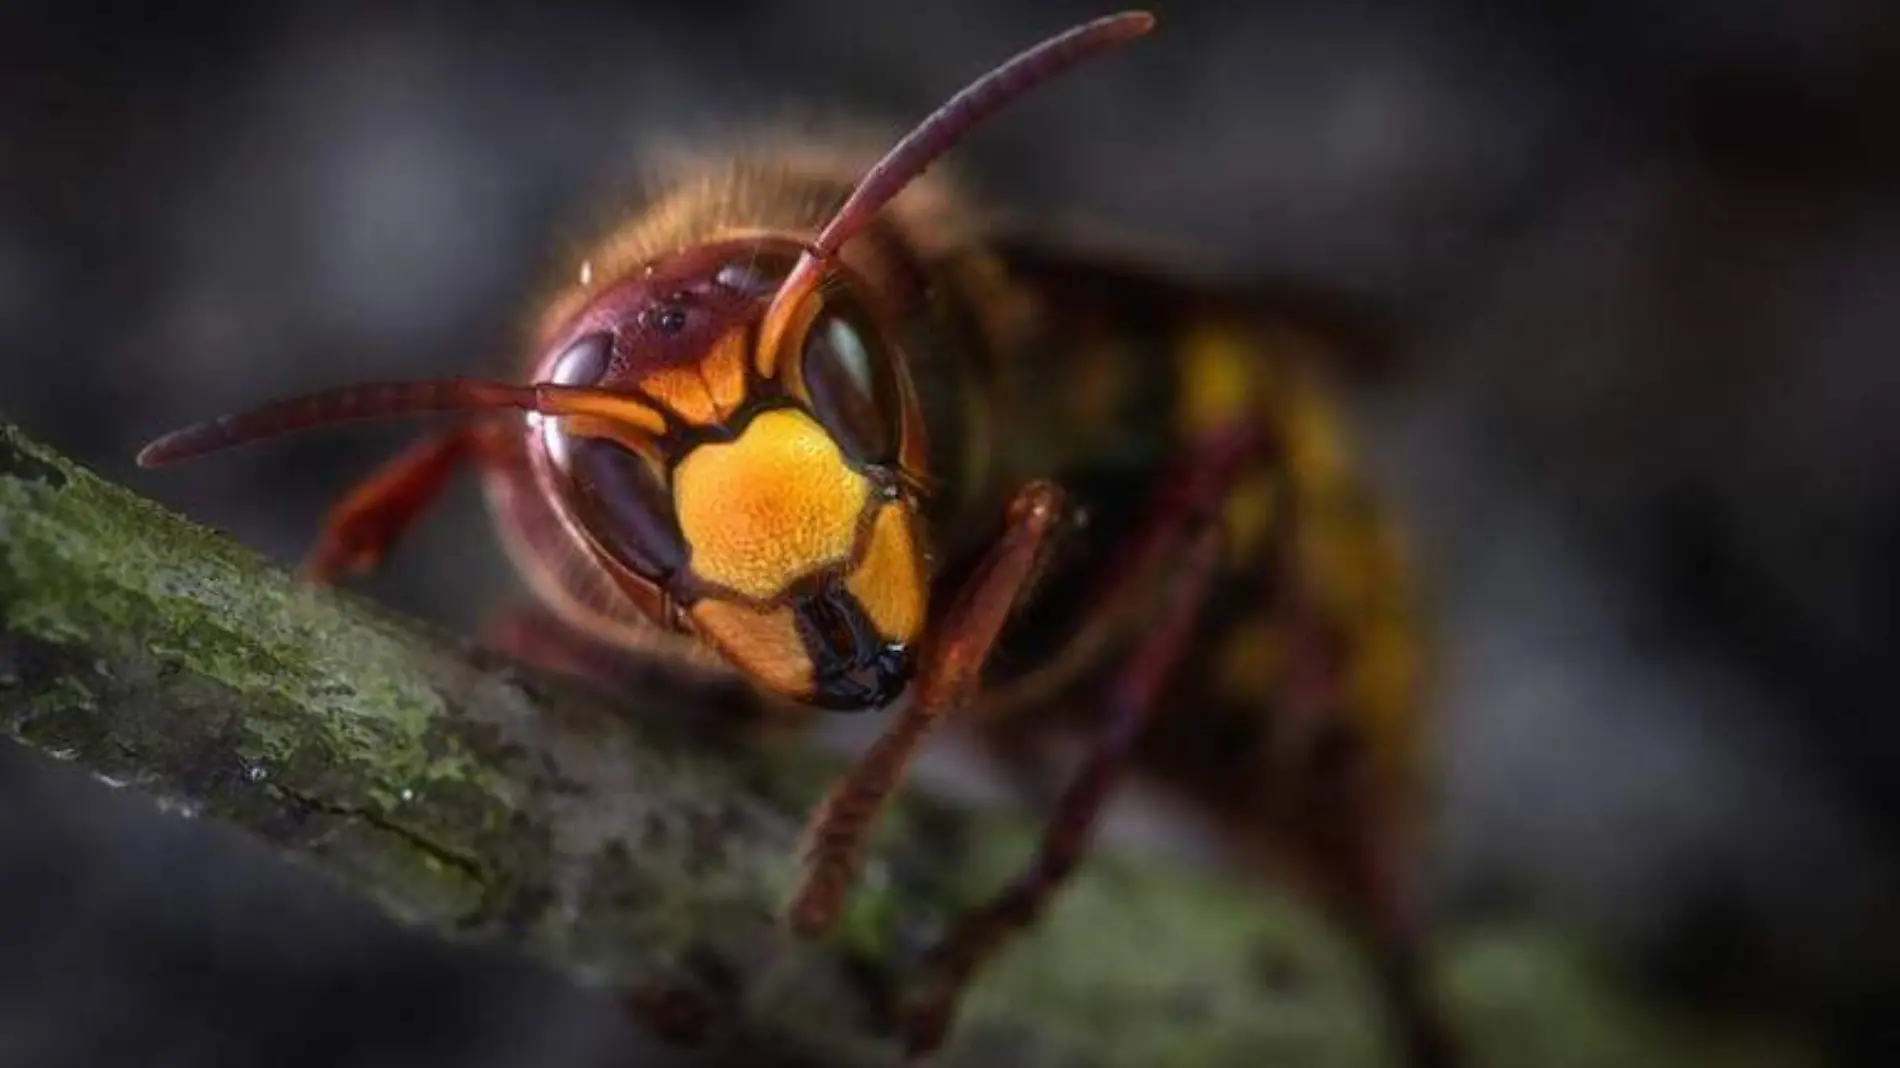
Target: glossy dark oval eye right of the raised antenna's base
(850, 383)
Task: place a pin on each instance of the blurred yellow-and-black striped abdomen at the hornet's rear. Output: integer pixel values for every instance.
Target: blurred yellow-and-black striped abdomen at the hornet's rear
(1314, 508)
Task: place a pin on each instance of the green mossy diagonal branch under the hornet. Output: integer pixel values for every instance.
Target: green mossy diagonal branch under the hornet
(487, 803)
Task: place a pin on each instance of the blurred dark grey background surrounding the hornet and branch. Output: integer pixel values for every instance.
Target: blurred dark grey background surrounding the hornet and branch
(1646, 417)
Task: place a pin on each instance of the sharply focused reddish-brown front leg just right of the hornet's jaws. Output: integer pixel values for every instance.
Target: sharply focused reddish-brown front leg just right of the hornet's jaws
(947, 677)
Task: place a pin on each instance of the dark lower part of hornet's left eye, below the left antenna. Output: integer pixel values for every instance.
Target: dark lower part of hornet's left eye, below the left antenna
(624, 506)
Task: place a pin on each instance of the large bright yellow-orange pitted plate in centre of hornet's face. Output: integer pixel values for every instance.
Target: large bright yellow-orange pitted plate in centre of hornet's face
(769, 508)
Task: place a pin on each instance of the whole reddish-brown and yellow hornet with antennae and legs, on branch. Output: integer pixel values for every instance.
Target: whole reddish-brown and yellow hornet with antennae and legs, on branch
(807, 419)
